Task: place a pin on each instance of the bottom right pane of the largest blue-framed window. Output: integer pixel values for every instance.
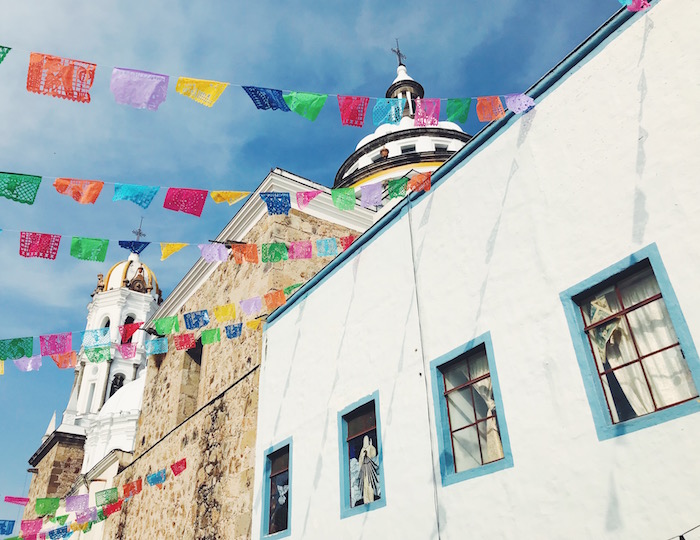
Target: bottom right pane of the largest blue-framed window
(669, 377)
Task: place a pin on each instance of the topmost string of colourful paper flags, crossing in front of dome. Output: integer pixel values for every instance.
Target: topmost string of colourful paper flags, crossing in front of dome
(71, 79)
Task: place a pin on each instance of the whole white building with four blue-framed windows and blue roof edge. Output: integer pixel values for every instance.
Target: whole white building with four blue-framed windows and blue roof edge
(511, 354)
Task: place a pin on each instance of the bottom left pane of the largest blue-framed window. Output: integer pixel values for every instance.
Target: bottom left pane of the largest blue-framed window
(627, 393)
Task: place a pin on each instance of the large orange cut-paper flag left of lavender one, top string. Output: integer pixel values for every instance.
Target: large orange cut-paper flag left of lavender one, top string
(60, 77)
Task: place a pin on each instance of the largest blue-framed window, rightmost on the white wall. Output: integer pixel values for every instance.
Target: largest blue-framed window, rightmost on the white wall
(637, 357)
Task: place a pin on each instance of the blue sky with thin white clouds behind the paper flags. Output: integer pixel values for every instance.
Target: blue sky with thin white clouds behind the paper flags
(467, 49)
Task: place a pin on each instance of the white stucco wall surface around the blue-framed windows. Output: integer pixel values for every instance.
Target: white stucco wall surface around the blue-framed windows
(604, 166)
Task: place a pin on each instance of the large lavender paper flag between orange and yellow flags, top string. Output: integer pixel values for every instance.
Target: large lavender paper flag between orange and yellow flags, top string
(140, 89)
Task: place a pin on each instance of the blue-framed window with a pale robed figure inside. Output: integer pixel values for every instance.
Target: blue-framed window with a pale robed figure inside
(361, 457)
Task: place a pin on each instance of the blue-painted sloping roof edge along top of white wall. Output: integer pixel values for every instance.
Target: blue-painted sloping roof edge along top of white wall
(537, 91)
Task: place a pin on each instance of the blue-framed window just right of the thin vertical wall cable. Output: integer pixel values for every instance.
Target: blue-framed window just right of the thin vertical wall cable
(470, 421)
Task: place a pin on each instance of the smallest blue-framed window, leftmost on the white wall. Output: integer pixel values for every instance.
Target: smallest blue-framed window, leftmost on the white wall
(277, 491)
